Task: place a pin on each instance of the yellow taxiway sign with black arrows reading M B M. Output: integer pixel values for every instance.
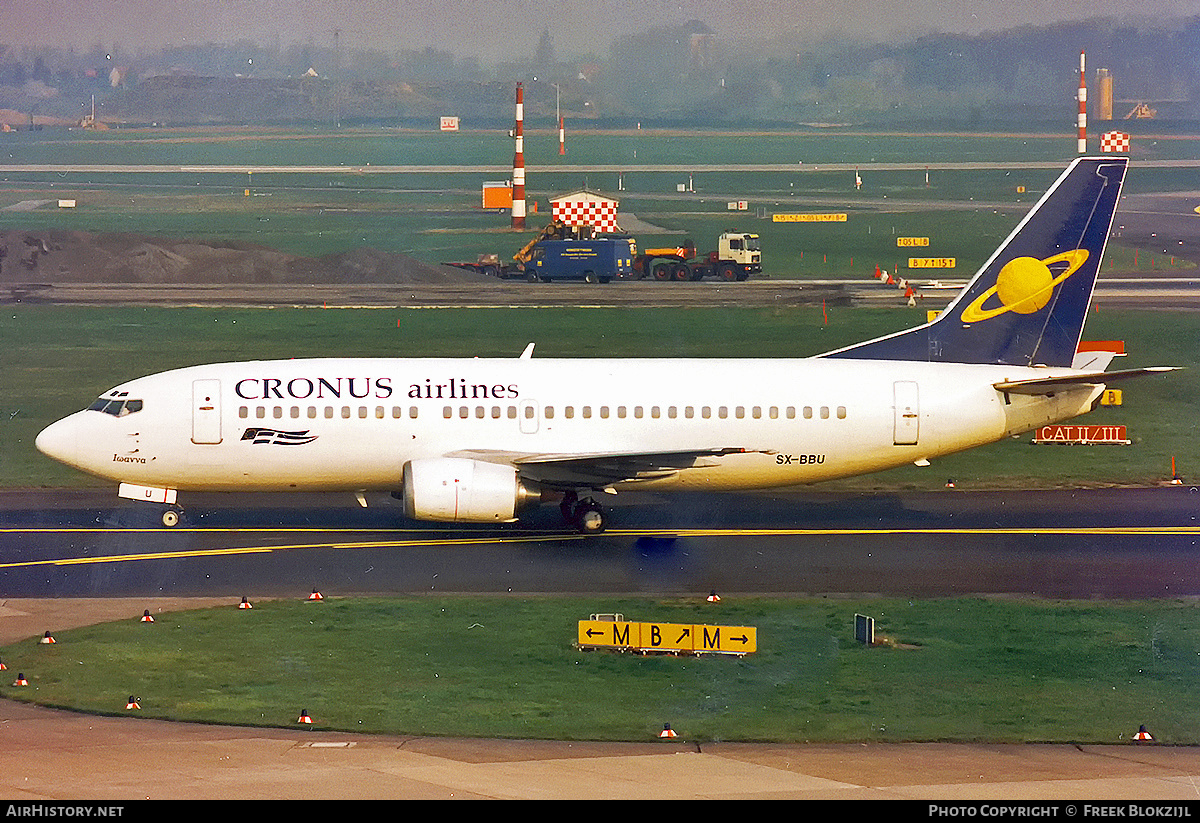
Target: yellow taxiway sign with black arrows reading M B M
(671, 638)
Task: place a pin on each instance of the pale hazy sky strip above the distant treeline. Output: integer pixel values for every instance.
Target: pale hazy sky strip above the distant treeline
(491, 28)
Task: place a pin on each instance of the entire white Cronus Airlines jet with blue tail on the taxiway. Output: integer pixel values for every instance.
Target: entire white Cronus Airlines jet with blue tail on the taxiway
(481, 440)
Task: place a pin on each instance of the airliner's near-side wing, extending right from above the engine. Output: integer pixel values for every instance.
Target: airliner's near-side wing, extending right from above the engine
(599, 470)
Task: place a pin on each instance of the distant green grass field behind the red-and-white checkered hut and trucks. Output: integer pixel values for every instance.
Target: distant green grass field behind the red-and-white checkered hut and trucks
(437, 218)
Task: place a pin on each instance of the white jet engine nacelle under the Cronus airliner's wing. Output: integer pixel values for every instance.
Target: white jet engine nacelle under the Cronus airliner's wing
(457, 490)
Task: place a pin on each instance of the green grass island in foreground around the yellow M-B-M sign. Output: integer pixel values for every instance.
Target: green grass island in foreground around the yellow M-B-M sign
(962, 670)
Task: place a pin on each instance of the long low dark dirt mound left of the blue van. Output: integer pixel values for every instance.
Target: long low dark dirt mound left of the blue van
(83, 257)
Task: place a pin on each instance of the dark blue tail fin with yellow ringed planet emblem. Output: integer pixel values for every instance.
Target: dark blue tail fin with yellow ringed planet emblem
(1028, 304)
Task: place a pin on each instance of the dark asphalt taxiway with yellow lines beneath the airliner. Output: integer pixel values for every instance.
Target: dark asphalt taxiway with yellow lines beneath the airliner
(1113, 543)
